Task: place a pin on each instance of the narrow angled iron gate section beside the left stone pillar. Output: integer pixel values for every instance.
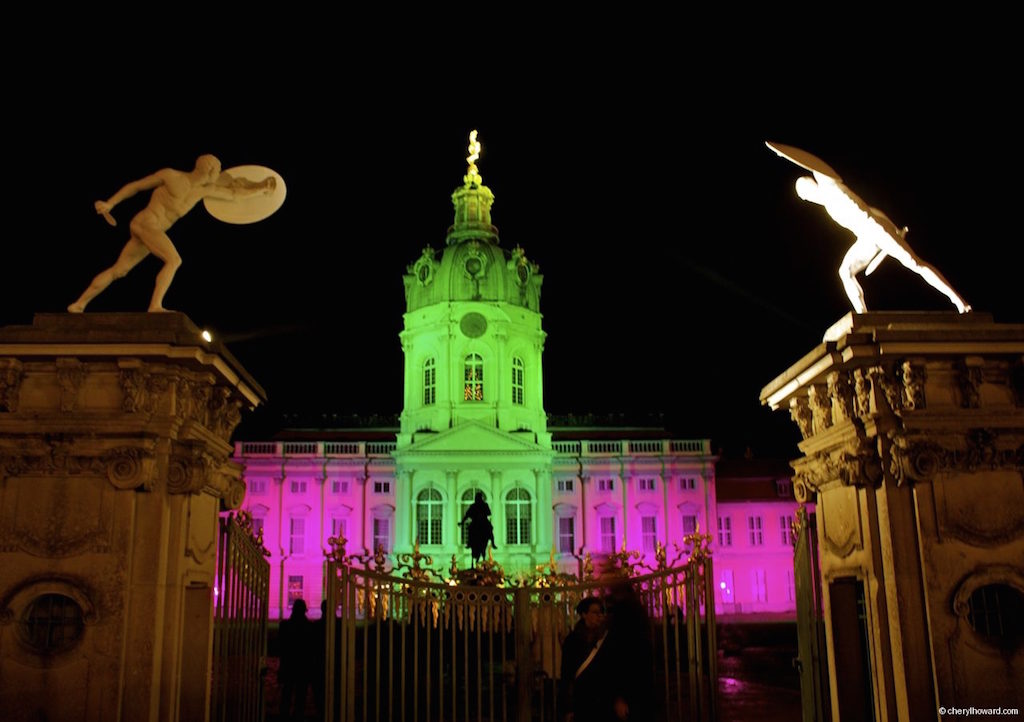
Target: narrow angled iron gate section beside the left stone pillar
(241, 596)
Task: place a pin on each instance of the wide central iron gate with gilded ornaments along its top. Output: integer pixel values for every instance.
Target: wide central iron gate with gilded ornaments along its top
(424, 648)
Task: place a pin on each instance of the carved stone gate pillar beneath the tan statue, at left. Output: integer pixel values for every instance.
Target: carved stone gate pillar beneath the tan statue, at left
(114, 465)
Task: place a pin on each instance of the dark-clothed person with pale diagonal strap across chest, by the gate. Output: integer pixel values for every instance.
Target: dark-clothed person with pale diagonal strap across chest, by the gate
(589, 673)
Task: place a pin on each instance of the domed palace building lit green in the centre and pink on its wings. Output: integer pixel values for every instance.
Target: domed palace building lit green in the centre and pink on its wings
(474, 420)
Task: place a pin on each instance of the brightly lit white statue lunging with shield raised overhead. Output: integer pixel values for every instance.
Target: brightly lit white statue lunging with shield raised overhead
(877, 236)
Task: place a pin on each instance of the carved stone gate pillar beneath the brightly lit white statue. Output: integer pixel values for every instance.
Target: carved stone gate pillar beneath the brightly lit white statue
(913, 448)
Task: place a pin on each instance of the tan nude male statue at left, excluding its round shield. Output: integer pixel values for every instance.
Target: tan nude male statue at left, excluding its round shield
(175, 194)
